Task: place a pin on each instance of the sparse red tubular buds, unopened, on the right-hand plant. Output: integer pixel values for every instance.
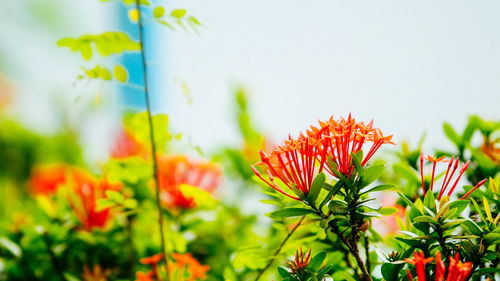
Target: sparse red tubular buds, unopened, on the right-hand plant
(448, 176)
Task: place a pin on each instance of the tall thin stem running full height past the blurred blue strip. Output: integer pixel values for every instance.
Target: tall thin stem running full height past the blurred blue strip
(152, 138)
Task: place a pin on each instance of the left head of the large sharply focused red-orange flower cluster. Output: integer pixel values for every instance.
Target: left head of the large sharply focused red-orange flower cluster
(294, 163)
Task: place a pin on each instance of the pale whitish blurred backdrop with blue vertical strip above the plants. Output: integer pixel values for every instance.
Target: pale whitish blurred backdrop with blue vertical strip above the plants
(410, 66)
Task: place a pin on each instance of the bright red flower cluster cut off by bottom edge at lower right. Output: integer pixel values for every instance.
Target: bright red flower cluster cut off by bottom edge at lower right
(457, 271)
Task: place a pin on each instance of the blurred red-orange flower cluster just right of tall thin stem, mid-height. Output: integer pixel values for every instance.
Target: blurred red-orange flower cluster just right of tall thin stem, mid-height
(173, 171)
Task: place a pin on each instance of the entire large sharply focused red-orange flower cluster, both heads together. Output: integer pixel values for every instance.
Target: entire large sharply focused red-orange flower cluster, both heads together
(298, 161)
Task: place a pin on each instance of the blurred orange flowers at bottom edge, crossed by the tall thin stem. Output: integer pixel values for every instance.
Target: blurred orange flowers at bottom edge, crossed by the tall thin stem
(184, 266)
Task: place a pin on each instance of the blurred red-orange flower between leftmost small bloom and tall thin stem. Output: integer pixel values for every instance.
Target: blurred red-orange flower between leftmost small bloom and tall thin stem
(84, 192)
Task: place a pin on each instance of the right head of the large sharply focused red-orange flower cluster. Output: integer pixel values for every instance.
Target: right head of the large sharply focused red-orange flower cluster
(340, 138)
